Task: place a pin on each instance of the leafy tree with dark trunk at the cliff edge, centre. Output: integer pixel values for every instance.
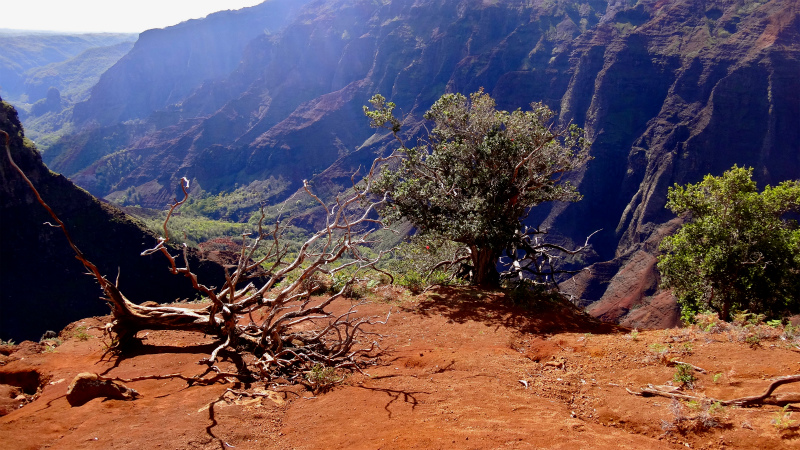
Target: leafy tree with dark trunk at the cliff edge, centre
(474, 178)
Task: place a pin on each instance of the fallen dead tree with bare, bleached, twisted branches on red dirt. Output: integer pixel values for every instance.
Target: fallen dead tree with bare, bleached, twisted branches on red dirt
(283, 328)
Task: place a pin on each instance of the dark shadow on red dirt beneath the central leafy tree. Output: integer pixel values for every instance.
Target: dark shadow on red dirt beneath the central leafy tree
(493, 308)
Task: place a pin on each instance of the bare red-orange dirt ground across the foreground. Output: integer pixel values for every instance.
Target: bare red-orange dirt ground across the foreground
(462, 370)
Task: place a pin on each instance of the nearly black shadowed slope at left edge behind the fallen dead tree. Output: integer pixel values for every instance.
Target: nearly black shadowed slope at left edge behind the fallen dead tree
(42, 285)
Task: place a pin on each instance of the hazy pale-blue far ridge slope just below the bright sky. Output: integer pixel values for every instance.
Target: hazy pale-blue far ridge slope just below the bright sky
(166, 64)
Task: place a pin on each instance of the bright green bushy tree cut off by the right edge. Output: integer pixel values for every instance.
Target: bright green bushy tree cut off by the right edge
(739, 249)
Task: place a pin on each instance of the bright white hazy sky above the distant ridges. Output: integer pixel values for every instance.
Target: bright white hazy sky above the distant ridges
(108, 15)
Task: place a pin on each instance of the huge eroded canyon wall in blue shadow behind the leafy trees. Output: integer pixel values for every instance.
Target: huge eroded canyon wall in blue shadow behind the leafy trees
(667, 91)
